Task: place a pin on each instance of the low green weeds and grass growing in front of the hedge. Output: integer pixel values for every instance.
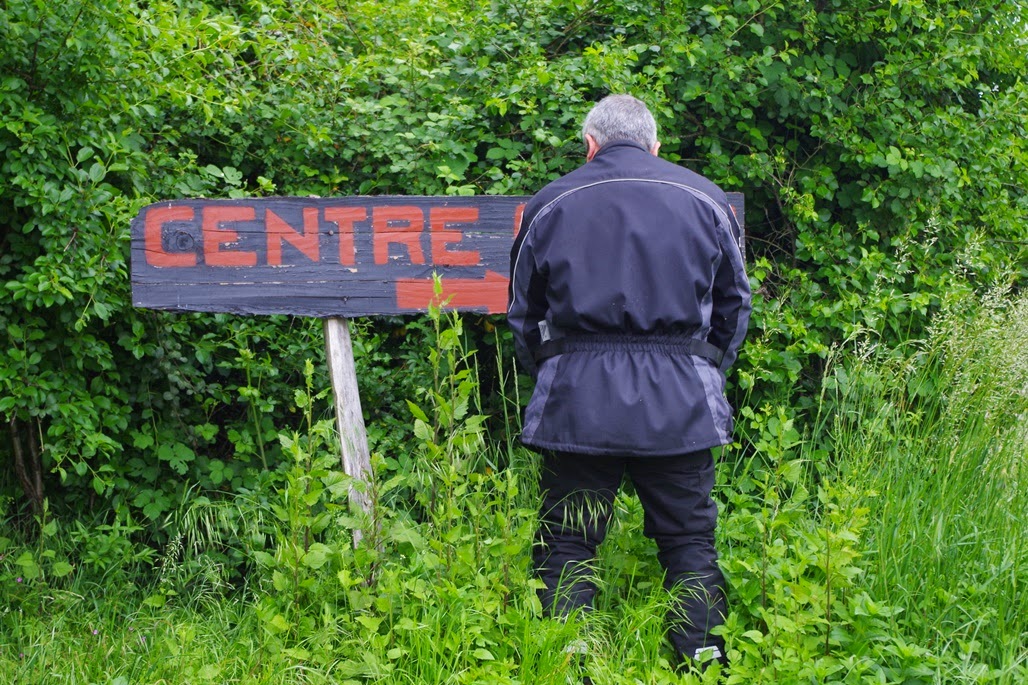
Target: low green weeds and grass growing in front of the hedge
(880, 543)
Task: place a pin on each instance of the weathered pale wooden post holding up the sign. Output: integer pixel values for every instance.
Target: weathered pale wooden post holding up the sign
(349, 419)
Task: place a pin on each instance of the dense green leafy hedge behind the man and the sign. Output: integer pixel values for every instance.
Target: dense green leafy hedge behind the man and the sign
(882, 148)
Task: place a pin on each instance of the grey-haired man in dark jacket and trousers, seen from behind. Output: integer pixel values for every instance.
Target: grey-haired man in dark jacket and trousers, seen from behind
(629, 302)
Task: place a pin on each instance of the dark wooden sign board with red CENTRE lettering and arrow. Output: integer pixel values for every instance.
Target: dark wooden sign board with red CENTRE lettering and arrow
(326, 258)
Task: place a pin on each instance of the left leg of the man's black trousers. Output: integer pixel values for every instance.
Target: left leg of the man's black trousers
(578, 501)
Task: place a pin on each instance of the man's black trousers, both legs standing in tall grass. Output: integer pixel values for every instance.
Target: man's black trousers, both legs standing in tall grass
(680, 517)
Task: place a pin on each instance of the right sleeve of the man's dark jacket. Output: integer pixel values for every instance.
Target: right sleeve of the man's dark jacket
(730, 314)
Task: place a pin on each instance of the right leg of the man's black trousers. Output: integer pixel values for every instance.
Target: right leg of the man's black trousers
(681, 517)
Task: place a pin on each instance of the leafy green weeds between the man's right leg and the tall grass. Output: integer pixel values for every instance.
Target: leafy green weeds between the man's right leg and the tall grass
(796, 571)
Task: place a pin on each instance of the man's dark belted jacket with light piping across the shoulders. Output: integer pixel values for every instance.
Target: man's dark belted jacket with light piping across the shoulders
(629, 256)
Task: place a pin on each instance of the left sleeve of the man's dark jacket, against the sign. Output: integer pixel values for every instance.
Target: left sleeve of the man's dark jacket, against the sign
(527, 299)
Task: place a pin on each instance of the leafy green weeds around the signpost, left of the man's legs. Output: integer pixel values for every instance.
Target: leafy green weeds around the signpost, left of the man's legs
(448, 537)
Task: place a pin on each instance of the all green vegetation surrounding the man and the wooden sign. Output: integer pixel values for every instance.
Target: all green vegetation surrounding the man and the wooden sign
(172, 507)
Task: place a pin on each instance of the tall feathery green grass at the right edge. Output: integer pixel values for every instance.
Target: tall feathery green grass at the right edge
(937, 439)
